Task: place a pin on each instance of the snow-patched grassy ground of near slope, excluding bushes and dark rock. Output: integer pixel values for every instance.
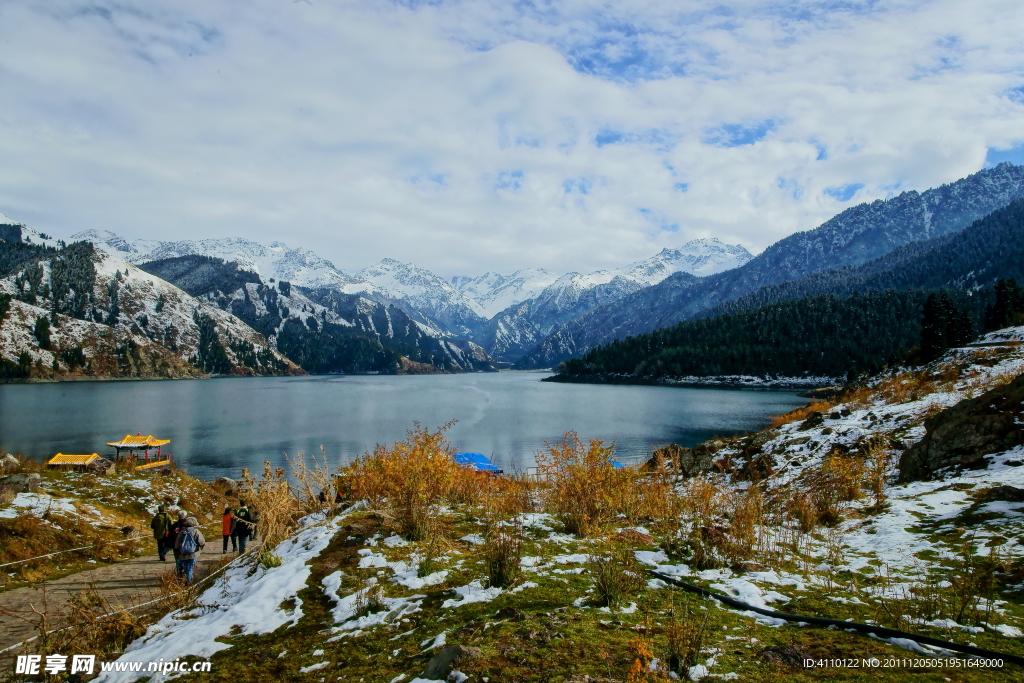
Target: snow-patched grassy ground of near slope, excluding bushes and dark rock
(310, 617)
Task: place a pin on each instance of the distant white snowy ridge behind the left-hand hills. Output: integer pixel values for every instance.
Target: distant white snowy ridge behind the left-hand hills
(300, 267)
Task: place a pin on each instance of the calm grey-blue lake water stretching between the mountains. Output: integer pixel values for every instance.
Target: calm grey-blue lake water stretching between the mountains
(219, 426)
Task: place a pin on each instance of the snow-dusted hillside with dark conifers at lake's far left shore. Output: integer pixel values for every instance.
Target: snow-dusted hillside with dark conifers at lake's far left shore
(109, 319)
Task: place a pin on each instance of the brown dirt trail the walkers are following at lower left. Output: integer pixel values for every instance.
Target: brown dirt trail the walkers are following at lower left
(125, 583)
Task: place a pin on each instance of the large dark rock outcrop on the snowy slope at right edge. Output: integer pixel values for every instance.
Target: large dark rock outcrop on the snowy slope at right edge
(961, 437)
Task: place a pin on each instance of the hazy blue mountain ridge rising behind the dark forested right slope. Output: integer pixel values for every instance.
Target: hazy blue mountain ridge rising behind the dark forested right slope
(858, 236)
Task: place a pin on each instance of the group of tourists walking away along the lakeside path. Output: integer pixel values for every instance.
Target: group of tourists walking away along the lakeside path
(186, 540)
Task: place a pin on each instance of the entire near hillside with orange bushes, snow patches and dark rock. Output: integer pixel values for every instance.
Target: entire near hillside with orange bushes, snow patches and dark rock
(877, 508)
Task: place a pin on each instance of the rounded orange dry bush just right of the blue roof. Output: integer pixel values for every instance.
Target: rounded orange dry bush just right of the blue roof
(585, 491)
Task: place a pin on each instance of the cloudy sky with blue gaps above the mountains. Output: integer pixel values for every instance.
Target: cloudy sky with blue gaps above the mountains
(476, 136)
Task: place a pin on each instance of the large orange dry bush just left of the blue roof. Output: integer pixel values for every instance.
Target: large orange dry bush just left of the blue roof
(410, 479)
